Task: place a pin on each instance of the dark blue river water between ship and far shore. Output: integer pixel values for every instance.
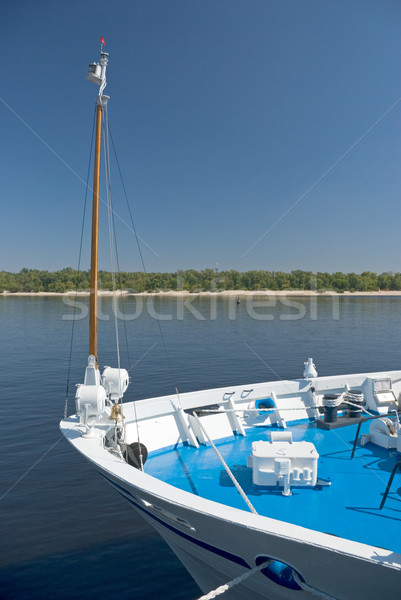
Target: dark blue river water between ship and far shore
(64, 532)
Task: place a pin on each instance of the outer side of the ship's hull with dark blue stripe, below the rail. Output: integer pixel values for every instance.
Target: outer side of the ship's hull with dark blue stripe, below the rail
(215, 551)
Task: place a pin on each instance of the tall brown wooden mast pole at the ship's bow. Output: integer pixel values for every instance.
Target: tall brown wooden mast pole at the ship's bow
(95, 238)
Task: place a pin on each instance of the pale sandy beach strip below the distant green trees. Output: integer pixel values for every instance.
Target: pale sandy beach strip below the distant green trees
(225, 293)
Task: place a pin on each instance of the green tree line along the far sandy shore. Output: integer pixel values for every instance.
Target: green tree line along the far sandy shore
(68, 279)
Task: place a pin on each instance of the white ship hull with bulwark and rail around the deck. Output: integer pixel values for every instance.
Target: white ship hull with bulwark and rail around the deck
(217, 542)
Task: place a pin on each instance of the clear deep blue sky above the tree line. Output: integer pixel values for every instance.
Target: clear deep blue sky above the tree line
(224, 113)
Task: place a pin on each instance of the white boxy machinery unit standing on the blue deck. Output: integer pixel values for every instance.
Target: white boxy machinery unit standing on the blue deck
(283, 462)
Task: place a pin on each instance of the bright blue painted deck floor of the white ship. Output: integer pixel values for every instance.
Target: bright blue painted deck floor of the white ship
(348, 508)
